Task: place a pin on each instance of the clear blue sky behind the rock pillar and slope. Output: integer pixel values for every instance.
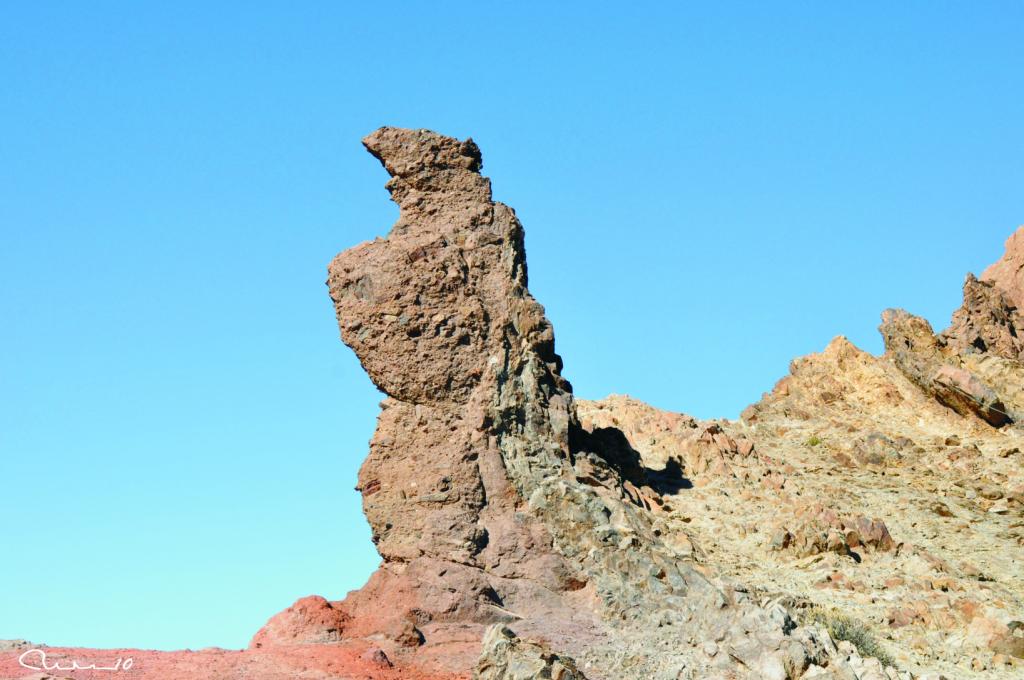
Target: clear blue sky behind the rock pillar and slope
(708, 192)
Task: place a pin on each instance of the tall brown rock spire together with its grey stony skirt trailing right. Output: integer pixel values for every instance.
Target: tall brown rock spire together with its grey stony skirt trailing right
(516, 515)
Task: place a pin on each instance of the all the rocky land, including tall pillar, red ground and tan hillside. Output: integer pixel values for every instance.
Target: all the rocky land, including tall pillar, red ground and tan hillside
(866, 520)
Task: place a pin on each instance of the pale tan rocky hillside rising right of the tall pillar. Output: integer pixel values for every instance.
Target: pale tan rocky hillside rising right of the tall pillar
(885, 489)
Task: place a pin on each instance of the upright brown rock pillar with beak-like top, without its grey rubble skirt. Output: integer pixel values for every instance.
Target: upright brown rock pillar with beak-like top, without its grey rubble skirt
(440, 316)
